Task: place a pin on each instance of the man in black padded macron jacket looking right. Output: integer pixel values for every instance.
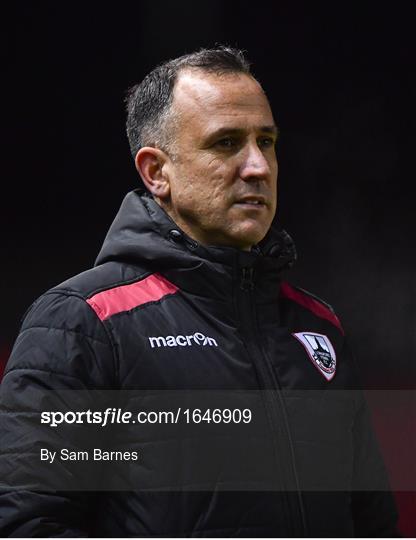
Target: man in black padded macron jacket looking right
(187, 294)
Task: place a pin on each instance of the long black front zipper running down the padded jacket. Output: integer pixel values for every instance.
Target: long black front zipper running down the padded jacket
(274, 403)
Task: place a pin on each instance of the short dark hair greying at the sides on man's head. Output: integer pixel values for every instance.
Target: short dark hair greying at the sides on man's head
(148, 103)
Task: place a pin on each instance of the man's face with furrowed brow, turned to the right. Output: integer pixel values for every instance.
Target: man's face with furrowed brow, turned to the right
(223, 177)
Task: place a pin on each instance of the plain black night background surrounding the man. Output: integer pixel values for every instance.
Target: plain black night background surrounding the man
(341, 81)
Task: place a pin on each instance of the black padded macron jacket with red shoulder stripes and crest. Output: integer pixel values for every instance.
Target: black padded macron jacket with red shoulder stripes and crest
(159, 312)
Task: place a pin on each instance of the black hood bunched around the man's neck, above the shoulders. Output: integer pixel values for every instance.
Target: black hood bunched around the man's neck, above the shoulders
(143, 234)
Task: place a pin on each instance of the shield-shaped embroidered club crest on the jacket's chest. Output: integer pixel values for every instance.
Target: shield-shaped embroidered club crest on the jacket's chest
(320, 351)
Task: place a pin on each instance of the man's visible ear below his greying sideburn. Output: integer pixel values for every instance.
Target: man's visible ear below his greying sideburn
(150, 165)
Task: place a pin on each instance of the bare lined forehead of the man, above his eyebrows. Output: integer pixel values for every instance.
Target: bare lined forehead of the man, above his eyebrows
(204, 101)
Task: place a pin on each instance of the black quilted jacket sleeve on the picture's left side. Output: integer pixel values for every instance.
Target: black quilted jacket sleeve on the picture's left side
(62, 347)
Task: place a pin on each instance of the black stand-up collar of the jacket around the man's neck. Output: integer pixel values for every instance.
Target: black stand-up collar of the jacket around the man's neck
(143, 235)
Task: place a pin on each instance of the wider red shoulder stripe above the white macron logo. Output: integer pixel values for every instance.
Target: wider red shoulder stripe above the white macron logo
(126, 297)
